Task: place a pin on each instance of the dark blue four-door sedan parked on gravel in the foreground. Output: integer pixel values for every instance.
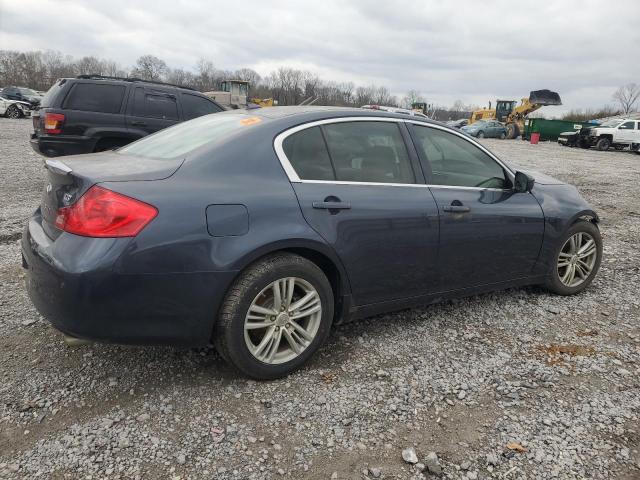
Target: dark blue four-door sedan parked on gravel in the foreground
(256, 230)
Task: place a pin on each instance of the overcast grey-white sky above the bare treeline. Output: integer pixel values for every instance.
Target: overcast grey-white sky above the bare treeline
(473, 50)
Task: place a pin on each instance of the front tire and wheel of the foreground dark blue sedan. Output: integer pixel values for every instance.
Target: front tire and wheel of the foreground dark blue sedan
(555, 283)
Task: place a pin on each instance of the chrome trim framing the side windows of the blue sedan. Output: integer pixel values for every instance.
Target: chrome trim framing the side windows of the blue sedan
(294, 178)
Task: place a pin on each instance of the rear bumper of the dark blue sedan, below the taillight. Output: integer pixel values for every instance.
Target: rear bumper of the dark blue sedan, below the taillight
(74, 282)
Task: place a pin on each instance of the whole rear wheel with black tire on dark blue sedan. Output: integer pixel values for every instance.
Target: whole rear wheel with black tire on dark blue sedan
(240, 342)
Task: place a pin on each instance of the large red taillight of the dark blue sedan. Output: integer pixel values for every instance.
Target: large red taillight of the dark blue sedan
(103, 213)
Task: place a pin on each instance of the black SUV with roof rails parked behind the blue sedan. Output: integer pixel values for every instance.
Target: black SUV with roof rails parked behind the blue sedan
(92, 113)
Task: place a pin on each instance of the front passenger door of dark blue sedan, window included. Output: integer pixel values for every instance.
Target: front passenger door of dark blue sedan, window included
(488, 233)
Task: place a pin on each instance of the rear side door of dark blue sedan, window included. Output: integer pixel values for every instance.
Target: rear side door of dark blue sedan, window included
(362, 191)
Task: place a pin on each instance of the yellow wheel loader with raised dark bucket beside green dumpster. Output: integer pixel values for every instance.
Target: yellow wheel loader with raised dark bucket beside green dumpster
(512, 114)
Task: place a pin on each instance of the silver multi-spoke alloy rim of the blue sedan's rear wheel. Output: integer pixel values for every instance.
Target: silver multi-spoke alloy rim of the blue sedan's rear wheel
(283, 320)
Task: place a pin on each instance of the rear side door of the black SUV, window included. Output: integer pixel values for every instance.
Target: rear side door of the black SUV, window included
(151, 109)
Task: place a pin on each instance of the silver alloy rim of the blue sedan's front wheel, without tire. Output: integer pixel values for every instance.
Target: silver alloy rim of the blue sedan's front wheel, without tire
(577, 259)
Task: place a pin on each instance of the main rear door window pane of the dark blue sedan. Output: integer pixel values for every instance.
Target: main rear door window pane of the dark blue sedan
(367, 151)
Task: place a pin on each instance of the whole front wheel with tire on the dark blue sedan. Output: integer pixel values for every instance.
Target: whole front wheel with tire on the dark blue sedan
(577, 261)
